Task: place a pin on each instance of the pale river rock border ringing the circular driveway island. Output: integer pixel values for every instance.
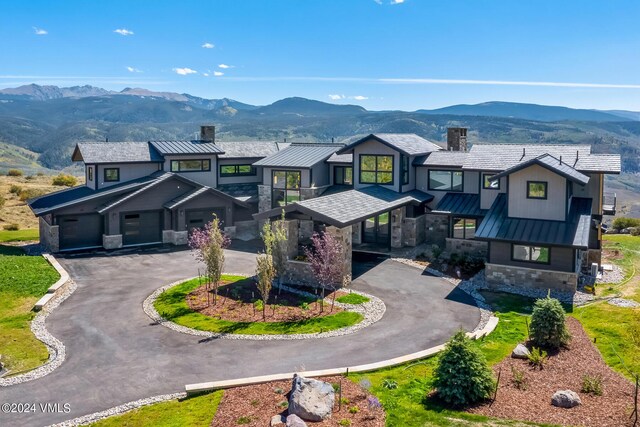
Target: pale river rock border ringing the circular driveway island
(372, 311)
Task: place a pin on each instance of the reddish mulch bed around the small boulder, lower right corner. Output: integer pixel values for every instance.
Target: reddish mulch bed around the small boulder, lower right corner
(563, 371)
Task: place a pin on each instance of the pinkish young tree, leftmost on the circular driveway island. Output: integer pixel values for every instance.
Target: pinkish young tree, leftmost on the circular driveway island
(209, 243)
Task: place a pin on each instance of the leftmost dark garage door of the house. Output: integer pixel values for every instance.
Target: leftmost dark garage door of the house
(80, 231)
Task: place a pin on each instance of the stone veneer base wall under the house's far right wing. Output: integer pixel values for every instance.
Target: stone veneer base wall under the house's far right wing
(497, 275)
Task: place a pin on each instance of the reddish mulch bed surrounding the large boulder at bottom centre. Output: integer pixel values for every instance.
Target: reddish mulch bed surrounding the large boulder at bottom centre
(254, 405)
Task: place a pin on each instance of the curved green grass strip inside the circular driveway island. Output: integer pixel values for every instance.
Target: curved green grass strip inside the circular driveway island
(172, 305)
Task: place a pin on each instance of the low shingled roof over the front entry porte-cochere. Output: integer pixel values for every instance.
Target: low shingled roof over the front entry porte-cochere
(349, 207)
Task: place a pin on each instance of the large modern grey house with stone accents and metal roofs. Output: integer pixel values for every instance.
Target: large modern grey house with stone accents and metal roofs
(533, 212)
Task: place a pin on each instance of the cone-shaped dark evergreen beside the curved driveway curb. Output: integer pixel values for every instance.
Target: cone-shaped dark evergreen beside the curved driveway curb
(462, 376)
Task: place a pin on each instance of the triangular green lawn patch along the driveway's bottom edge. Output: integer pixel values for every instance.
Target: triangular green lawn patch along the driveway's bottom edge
(193, 412)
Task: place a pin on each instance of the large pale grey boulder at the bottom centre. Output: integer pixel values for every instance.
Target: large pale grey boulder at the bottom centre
(310, 399)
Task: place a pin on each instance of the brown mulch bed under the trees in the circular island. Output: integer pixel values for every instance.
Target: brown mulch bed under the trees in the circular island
(235, 303)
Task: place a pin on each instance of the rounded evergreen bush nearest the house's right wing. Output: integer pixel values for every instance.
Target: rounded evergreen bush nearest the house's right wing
(548, 329)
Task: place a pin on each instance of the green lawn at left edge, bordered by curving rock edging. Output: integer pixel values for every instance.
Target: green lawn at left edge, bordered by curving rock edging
(23, 280)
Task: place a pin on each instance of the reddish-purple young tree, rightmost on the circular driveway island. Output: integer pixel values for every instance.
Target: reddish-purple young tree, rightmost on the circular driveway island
(326, 257)
